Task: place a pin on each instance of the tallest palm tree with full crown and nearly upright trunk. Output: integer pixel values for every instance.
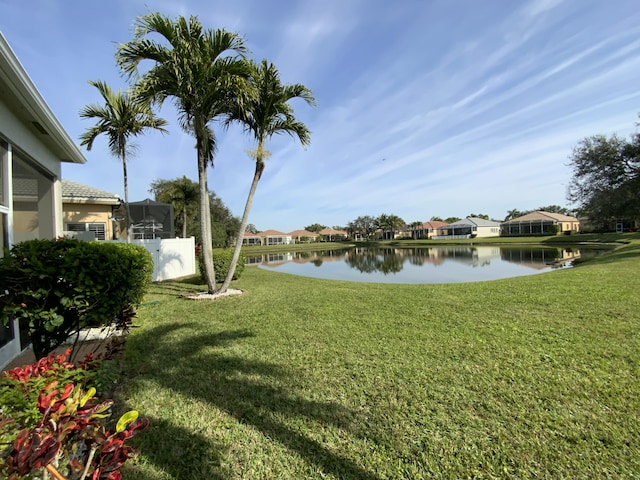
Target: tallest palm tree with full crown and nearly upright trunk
(193, 66)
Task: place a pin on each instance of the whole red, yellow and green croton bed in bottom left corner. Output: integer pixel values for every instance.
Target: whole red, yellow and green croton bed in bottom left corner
(51, 420)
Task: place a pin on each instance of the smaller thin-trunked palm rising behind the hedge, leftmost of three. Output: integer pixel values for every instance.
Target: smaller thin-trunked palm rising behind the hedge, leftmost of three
(120, 118)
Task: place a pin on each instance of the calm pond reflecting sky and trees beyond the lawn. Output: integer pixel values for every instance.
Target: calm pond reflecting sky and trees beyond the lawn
(445, 264)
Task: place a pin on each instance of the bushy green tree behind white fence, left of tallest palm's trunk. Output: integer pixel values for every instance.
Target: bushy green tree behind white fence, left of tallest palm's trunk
(183, 194)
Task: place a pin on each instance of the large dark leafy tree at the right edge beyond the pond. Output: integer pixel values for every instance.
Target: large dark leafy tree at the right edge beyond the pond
(606, 178)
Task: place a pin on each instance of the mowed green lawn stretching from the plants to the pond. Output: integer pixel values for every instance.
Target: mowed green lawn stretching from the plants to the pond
(298, 378)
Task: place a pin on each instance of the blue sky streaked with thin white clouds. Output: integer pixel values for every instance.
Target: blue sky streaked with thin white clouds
(425, 107)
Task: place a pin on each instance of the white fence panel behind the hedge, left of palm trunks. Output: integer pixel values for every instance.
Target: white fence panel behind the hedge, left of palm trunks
(172, 257)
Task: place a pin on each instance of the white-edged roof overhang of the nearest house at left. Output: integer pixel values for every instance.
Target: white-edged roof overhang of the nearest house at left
(20, 94)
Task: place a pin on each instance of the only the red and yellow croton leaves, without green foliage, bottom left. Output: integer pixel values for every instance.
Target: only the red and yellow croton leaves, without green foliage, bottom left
(70, 438)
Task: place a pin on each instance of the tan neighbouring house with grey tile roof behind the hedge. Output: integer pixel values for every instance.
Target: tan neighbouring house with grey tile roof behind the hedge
(90, 213)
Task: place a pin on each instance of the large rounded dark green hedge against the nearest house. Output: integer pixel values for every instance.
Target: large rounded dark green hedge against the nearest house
(59, 287)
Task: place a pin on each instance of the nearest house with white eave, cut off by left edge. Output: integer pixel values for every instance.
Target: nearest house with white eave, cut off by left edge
(33, 145)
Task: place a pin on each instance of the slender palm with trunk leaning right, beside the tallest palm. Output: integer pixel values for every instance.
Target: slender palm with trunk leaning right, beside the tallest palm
(265, 114)
